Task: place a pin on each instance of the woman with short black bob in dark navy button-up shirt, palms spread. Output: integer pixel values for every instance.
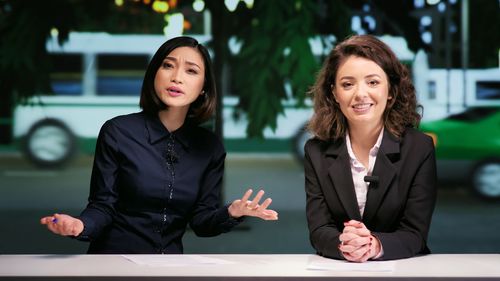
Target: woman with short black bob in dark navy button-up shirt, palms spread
(157, 171)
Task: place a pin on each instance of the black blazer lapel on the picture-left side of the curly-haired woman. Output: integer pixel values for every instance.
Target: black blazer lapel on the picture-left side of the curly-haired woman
(339, 171)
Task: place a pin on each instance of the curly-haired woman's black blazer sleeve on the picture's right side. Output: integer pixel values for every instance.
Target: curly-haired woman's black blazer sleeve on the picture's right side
(410, 237)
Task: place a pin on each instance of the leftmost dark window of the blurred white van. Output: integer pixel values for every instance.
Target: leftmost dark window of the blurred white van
(66, 74)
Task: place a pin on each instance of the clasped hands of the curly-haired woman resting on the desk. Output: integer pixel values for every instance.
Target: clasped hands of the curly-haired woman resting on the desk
(357, 242)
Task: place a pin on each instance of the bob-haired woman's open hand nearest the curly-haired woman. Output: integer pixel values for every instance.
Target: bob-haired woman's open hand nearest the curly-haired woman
(245, 207)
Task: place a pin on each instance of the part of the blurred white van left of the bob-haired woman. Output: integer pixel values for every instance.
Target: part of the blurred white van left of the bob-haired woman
(95, 77)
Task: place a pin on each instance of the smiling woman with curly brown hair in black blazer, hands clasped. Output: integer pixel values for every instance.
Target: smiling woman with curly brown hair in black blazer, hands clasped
(370, 176)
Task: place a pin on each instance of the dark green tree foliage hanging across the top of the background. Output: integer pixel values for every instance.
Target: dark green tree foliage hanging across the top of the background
(274, 35)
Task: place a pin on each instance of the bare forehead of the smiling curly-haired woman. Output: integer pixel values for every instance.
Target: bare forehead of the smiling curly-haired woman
(354, 66)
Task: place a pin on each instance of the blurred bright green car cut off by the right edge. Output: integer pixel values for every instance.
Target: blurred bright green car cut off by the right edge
(468, 149)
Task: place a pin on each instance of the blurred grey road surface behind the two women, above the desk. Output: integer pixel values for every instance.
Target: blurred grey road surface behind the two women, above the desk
(461, 222)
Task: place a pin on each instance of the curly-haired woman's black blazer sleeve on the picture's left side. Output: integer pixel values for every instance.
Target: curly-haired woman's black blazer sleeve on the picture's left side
(323, 232)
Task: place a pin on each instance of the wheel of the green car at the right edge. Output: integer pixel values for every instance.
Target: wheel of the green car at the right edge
(486, 179)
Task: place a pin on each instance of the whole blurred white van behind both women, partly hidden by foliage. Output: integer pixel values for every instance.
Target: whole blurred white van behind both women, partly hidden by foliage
(97, 76)
